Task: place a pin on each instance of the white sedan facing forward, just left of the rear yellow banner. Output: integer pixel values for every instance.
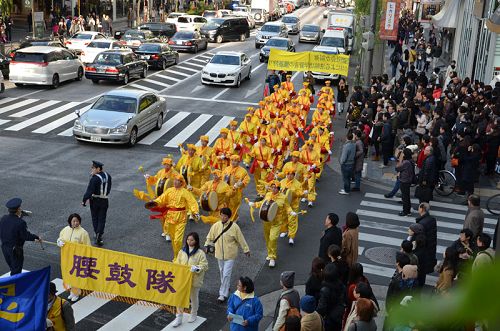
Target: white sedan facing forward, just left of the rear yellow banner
(227, 68)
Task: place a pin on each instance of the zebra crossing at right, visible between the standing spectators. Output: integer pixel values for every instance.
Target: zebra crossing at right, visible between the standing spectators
(381, 227)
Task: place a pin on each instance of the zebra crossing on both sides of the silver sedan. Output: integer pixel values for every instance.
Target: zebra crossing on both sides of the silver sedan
(55, 119)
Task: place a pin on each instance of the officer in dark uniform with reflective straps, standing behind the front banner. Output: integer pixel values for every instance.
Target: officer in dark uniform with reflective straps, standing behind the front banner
(97, 193)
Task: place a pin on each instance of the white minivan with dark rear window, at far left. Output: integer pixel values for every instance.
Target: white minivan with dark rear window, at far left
(44, 65)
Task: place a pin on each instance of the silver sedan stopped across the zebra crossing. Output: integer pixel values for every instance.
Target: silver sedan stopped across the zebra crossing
(120, 116)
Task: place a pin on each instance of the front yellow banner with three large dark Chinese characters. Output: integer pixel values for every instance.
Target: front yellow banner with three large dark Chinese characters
(126, 275)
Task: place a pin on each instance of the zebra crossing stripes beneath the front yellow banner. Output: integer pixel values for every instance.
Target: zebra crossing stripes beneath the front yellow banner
(88, 313)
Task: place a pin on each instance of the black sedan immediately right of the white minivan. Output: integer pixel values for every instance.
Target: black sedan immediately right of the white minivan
(117, 65)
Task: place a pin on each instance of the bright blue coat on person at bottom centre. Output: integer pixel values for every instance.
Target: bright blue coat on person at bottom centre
(250, 308)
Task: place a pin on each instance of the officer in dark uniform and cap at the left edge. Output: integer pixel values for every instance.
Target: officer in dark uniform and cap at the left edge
(13, 233)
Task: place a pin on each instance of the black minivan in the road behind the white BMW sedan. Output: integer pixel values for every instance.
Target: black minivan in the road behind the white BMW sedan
(227, 28)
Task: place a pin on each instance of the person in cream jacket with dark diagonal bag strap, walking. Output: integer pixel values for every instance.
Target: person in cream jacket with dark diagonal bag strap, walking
(223, 240)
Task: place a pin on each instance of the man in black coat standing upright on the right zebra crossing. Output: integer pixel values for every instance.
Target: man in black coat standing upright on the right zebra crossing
(430, 228)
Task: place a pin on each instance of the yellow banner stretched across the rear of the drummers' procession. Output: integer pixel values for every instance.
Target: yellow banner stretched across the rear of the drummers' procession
(309, 61)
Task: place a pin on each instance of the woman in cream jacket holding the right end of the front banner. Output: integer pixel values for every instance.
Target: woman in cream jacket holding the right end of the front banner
(192, 255)
